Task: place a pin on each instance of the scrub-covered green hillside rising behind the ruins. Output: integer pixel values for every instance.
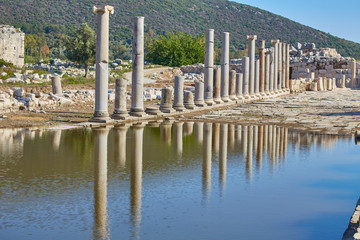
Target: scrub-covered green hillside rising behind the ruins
(192, 16)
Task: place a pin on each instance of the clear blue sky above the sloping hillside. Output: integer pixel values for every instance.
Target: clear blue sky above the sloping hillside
(337, 17)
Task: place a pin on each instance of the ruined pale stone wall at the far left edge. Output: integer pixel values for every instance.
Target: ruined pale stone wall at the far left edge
(12, 45)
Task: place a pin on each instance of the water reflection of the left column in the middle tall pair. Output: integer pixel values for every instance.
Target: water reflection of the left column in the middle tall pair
(206, 166)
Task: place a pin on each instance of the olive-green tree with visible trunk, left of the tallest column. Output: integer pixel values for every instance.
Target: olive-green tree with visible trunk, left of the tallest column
(82, 47)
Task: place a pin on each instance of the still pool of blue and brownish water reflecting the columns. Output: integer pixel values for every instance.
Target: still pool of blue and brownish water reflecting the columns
(176, 181)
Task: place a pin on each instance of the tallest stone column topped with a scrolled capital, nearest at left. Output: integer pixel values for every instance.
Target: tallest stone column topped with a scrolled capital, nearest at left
(102, 59)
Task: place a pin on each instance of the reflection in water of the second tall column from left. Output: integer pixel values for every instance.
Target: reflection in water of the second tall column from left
(136, 177)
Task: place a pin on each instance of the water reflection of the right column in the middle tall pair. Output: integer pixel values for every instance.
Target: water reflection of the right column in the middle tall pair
(223, 155)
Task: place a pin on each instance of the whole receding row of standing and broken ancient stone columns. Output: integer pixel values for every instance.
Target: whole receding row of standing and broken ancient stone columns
(259, 77)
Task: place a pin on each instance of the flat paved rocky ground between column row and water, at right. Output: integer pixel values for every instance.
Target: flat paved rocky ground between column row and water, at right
(333, 112)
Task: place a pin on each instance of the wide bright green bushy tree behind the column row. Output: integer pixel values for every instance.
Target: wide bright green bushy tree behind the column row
(177, 49)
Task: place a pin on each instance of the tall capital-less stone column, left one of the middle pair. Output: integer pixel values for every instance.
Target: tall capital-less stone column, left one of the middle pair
(209, 66)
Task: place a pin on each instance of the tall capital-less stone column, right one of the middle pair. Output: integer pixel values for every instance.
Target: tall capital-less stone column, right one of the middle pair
(225, 68)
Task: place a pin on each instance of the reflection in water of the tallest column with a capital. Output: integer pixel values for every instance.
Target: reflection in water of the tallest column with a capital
(100, 183)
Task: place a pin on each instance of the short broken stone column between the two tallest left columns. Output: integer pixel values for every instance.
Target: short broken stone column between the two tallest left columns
(120, 111)
